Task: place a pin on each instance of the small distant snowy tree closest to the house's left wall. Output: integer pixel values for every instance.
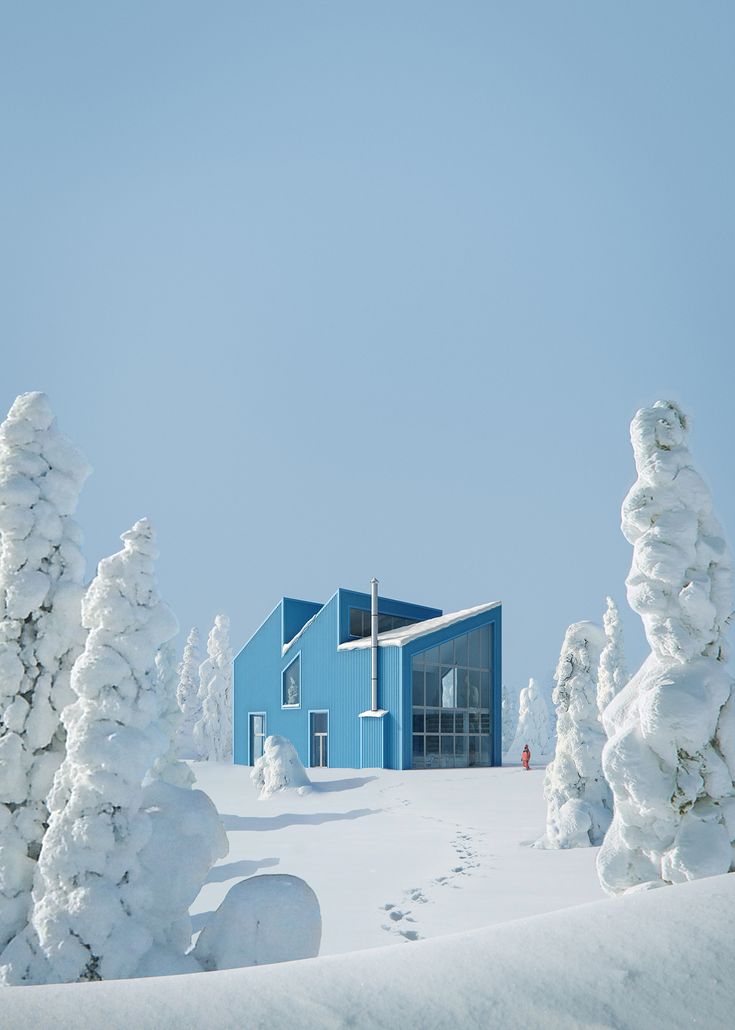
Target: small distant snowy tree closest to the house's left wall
(214, 733)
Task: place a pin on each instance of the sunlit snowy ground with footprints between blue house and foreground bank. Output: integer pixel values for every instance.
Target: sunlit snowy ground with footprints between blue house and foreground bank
(400, 855)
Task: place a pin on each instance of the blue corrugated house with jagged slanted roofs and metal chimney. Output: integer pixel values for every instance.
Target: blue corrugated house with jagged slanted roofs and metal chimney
(424, 692)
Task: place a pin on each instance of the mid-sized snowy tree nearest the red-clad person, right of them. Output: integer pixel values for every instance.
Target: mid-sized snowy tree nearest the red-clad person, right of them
(579, 801)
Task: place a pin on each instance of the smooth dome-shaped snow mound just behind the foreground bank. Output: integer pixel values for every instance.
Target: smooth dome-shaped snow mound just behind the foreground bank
(262, 920)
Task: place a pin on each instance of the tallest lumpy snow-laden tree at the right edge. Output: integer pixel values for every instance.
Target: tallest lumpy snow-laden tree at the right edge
(671, 756)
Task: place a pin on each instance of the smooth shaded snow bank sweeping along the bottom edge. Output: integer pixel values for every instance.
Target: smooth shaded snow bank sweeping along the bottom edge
(653, 959)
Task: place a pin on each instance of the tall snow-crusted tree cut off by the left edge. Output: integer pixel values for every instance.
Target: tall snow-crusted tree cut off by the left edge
(42, 571)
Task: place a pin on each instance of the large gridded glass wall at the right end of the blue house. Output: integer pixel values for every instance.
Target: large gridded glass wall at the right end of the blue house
(452, 703)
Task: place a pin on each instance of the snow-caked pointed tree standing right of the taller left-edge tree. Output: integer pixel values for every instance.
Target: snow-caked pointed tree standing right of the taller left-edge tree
(93, 898)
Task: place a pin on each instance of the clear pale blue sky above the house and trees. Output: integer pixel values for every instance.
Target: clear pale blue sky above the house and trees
(340, 290)
